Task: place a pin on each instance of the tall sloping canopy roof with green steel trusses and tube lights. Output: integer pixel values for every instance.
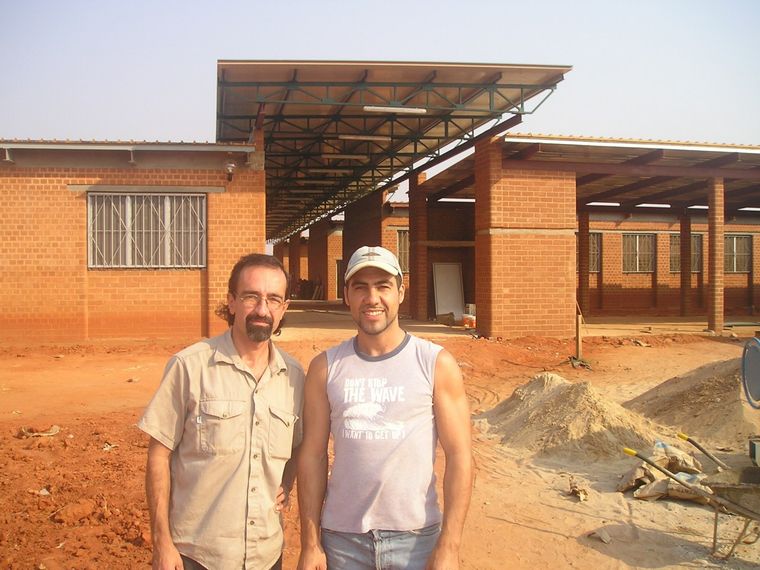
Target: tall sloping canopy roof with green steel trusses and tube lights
(336, 131)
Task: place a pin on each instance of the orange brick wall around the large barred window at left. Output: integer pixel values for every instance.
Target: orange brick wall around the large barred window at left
(48, 294)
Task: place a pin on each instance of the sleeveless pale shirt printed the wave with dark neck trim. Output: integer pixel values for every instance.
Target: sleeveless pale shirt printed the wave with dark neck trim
(383, 428)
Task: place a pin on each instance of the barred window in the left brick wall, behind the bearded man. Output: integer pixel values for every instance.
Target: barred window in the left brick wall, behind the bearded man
(146, 230)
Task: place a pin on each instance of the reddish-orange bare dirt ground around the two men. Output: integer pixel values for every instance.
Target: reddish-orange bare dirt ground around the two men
(75, 499)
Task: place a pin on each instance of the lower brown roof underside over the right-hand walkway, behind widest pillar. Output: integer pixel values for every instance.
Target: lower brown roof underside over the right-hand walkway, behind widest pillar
(627, 173)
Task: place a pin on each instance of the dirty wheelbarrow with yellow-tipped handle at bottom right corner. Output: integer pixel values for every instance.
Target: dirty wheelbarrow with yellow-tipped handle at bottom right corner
(735, 491)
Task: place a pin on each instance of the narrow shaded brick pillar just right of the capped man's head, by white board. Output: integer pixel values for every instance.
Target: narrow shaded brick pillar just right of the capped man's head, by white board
(419, 276)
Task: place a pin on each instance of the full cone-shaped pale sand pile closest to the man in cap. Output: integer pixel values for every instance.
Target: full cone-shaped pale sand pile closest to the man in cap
(552, 415)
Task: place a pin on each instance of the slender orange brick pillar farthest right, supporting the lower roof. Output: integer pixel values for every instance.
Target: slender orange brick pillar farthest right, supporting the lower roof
(715, 223)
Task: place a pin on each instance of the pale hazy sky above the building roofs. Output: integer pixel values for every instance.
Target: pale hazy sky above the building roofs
(146, 70)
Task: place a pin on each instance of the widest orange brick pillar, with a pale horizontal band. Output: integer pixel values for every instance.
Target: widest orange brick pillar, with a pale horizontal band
(525, 223)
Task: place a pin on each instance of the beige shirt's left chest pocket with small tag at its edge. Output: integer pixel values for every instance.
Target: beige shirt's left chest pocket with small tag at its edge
(223, 426)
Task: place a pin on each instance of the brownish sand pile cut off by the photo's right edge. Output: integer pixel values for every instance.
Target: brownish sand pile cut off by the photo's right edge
(707, 403)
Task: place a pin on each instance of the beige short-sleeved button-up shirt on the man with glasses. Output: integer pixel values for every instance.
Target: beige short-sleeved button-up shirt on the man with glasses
(231, 437)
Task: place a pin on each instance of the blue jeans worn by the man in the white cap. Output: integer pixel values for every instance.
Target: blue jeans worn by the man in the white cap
(380, 549)
